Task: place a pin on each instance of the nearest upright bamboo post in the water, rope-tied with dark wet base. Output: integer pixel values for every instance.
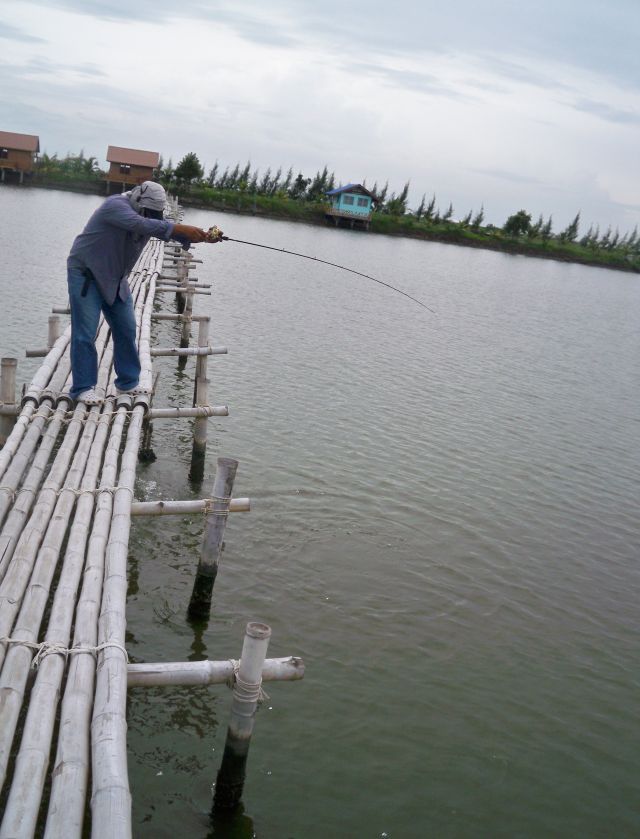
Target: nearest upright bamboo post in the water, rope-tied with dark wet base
(246, 693)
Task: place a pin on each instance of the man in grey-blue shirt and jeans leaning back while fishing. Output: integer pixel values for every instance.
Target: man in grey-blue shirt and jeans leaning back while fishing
(97, 269)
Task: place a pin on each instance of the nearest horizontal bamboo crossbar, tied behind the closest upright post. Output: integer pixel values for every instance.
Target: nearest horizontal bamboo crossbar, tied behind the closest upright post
(190, 673)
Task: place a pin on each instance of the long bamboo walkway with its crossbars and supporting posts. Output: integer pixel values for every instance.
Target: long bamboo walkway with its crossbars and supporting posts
(67, 475)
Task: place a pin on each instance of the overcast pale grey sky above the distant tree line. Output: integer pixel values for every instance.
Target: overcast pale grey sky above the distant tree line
(502, 103)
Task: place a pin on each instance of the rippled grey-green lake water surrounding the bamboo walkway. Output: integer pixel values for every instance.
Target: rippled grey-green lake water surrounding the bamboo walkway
(444, 526)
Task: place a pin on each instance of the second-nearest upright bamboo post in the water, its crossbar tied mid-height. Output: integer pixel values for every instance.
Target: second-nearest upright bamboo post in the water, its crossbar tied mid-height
(215, 523)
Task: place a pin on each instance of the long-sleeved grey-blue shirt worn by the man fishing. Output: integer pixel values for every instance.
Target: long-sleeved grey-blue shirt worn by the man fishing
(111, 242)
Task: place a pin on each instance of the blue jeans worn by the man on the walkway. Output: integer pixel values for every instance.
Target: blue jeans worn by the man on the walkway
(85, 315)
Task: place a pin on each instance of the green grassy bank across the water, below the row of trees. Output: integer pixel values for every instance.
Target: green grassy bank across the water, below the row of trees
(453, 233)
